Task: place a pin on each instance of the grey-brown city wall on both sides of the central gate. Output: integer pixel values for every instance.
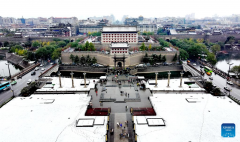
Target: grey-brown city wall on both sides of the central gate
(105, 59)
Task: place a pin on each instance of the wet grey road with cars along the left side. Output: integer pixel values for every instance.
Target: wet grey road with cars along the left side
(21, 83)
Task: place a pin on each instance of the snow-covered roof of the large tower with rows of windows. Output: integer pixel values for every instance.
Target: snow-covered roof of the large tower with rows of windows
(119, 29)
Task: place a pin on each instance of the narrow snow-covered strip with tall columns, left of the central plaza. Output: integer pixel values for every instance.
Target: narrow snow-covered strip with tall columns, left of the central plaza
(67, 84)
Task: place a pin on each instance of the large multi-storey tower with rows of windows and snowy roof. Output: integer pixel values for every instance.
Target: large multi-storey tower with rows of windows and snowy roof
(119, 34)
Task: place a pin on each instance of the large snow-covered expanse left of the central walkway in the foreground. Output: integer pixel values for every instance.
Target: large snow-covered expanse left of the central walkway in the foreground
(49, 118)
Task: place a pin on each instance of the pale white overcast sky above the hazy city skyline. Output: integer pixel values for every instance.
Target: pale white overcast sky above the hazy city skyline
(134, 8)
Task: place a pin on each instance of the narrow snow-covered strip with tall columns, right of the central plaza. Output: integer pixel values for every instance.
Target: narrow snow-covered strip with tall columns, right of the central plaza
(173, 85)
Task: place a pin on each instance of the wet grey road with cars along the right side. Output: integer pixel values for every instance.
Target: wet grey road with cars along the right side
(221, 83)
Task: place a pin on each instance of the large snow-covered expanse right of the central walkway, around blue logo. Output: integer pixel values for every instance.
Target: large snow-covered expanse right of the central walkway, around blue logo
(186, 121)
